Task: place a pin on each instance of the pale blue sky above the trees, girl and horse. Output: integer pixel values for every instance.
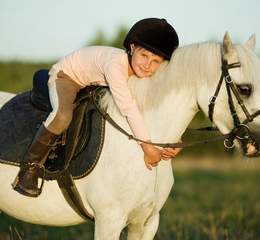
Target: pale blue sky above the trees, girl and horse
(46, 30)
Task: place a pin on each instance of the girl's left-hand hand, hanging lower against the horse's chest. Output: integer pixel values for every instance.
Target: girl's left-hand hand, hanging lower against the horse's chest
(152, 155)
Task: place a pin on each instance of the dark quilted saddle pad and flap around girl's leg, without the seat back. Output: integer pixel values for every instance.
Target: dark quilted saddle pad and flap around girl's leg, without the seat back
(19, 121)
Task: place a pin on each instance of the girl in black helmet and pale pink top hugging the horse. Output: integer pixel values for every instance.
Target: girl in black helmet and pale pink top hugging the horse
(149, 42)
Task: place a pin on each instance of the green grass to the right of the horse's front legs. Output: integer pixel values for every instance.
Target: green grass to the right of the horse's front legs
(212, 205)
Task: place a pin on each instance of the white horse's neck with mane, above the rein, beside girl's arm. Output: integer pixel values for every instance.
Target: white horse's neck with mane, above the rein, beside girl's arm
(169, 99)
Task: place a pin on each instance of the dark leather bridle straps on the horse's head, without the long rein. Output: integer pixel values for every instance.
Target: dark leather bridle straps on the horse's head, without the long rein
(241, 131)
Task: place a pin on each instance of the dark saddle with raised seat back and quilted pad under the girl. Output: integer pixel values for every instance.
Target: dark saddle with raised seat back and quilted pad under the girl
(79, 147)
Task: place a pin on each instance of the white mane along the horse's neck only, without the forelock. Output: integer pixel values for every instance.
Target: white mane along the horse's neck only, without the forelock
(196, 61)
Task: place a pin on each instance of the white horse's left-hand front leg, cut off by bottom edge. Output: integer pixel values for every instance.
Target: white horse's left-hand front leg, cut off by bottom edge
(109, 225)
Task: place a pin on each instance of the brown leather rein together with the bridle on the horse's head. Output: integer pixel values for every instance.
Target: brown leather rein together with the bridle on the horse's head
(240, 131)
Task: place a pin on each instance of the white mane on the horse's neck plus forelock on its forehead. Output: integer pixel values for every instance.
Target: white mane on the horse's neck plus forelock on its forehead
(190, 68)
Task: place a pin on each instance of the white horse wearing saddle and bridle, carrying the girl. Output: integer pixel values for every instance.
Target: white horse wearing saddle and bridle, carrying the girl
(121, 191)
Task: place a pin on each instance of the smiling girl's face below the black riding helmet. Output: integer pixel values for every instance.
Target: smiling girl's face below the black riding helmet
(144, 63)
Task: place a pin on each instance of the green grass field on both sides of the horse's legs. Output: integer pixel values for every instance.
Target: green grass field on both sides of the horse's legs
(206, 204)
